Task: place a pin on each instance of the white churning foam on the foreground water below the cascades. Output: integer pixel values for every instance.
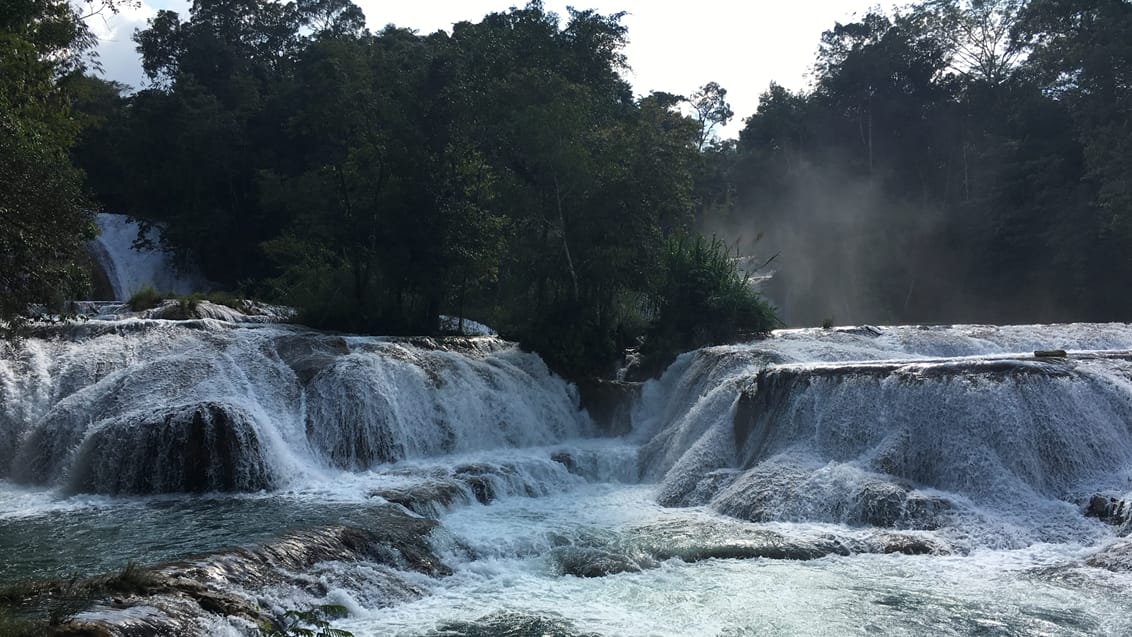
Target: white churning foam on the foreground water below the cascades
(1005, 593)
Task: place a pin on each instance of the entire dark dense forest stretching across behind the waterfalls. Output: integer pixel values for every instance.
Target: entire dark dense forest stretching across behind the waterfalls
(959, 160)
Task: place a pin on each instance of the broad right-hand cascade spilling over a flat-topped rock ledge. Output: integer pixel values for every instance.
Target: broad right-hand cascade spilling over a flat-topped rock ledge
(911, 428)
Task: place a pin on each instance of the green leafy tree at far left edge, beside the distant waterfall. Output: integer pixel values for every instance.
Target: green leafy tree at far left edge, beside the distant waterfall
(46, 219)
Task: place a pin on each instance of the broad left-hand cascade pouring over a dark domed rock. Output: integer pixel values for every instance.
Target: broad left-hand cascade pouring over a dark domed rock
(153, 407)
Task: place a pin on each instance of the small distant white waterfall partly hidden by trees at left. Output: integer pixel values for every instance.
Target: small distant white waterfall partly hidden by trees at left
(130, 270)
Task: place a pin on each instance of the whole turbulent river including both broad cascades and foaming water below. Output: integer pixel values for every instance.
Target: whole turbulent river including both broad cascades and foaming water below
(865, 481)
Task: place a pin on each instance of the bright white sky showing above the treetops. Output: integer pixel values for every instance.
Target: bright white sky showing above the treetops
(674, 47)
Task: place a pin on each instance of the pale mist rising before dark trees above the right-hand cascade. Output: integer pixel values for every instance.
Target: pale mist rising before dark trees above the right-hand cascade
(846, 253)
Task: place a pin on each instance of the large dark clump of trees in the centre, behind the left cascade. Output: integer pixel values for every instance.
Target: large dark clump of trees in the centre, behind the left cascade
(379, 180)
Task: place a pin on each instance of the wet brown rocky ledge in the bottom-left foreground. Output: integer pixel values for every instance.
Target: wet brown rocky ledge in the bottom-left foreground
(186, 597)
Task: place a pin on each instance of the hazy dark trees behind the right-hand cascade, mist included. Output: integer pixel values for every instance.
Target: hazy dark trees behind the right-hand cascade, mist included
(958, 161)
